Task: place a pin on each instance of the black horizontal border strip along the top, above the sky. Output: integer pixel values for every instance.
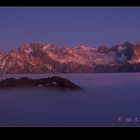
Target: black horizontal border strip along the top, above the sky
(70, 3)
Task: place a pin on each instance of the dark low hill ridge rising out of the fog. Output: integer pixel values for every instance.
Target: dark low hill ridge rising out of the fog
(54, 81)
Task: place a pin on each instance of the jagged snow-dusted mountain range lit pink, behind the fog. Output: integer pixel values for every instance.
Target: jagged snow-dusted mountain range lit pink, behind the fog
(49, 58)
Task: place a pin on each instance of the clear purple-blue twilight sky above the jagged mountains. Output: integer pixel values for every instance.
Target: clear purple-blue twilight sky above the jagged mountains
(68, 26)
